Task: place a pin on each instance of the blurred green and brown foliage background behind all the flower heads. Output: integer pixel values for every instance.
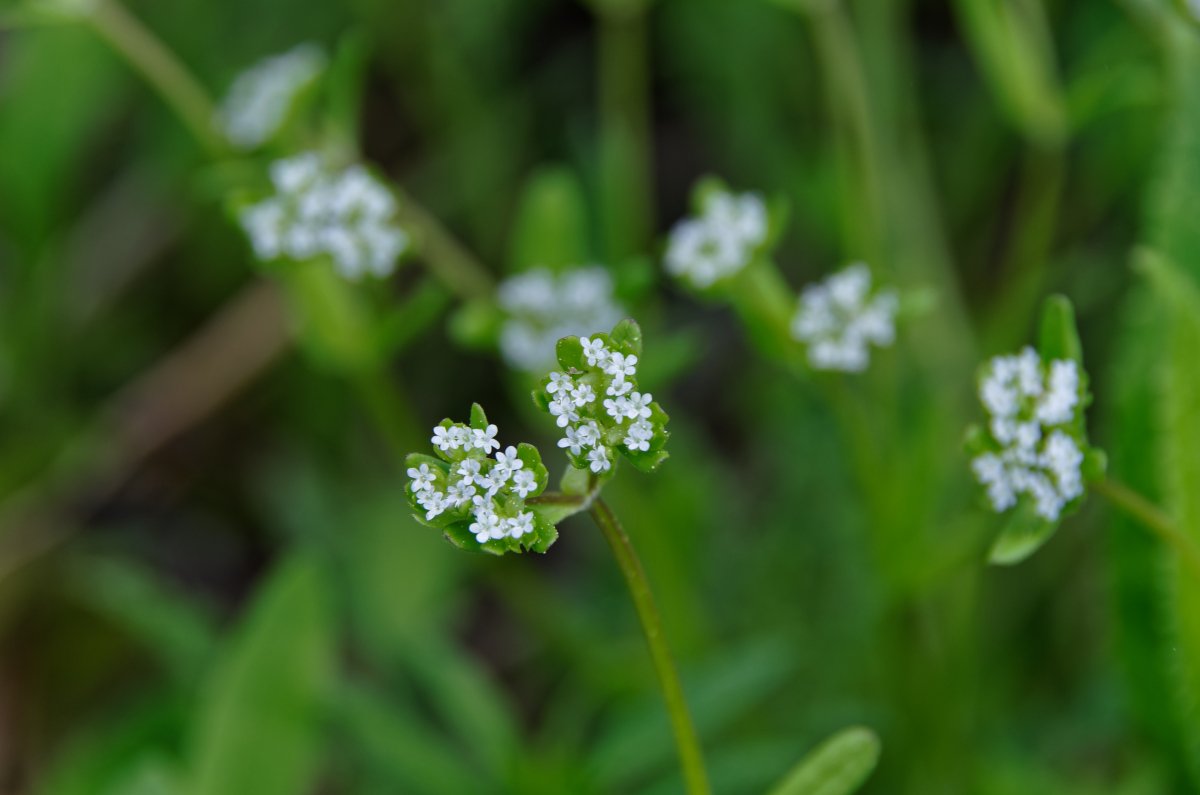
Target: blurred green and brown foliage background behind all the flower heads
(211, 581)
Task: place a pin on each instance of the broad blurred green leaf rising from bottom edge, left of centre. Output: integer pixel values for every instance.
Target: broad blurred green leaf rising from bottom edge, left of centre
(260, 724)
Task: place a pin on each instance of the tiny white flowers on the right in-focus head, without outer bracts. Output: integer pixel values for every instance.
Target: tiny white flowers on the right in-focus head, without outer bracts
(602, 408)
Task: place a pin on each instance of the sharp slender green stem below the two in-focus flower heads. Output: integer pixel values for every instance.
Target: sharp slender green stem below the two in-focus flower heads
(692, 758)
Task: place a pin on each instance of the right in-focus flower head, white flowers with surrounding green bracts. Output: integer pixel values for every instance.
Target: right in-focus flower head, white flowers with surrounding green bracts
(596, 399)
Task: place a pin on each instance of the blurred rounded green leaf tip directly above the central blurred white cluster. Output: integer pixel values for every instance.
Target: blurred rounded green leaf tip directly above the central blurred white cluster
(551, 229)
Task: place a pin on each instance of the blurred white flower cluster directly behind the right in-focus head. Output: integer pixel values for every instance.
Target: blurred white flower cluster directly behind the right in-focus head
(543, 308)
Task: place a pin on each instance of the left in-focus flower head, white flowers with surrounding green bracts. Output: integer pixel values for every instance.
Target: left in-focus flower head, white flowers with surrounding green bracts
(477, 499)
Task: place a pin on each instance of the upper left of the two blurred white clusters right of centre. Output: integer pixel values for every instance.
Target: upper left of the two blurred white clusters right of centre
(721, 242)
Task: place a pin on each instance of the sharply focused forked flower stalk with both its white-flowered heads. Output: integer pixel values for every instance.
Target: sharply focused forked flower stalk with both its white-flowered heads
(497, 504)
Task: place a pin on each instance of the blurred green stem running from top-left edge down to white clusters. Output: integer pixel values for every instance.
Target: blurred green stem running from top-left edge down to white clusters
(160, 68)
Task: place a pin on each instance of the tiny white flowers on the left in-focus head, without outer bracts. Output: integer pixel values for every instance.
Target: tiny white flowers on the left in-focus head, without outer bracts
(487, 492)
